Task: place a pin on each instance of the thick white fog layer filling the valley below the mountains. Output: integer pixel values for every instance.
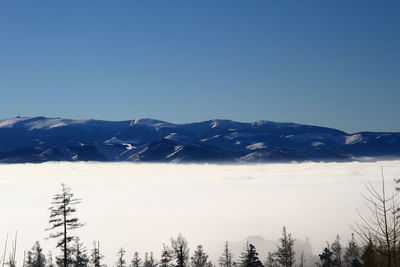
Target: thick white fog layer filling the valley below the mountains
(141, 206)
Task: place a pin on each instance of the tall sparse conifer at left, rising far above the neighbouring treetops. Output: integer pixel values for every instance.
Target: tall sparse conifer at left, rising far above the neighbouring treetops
(62, 221)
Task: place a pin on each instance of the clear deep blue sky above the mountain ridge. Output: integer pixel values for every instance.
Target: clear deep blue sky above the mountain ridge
(331, 63)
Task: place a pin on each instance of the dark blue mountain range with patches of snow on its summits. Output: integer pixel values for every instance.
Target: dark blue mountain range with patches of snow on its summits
(41, 139)
